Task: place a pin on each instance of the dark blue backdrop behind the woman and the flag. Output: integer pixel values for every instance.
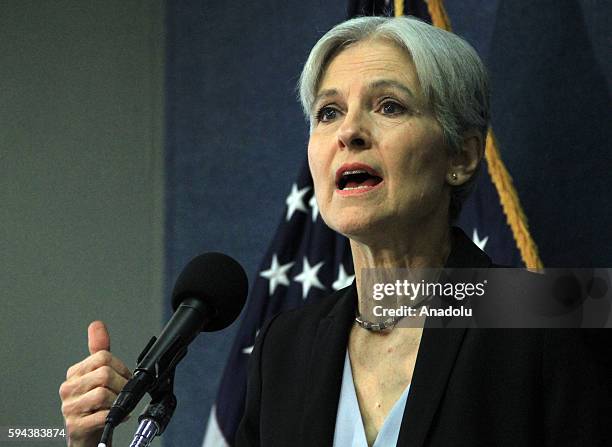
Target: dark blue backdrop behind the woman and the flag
(235, 136)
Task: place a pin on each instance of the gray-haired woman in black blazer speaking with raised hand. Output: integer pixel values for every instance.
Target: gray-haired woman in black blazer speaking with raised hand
(398, 112)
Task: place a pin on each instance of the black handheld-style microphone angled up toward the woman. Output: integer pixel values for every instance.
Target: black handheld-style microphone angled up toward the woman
(208, 295)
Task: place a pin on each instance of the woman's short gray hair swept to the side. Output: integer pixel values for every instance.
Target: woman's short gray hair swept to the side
(451, 74)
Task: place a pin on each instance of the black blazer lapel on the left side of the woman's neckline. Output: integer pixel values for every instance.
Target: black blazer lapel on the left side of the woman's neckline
(325, 369)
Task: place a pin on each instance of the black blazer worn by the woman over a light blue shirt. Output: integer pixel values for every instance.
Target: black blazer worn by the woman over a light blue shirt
(471, 387)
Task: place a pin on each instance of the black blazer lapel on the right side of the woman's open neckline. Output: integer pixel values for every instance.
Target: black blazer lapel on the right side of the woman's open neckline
(437, 353)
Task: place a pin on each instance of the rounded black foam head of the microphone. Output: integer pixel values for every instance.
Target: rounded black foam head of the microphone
(219, 281)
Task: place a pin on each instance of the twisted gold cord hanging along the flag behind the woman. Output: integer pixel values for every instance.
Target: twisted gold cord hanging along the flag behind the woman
(499, 174)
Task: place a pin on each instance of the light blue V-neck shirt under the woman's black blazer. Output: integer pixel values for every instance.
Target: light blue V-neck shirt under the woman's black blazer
(349, 425)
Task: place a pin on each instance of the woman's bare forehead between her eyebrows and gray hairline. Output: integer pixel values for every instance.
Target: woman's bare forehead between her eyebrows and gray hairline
(370, 60)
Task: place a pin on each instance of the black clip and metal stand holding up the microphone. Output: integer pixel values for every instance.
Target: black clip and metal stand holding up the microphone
(155, 418)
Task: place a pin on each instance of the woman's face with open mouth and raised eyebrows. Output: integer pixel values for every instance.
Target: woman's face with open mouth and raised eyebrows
(376, 152)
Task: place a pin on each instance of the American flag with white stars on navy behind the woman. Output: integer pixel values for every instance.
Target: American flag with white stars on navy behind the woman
(306, 260)
